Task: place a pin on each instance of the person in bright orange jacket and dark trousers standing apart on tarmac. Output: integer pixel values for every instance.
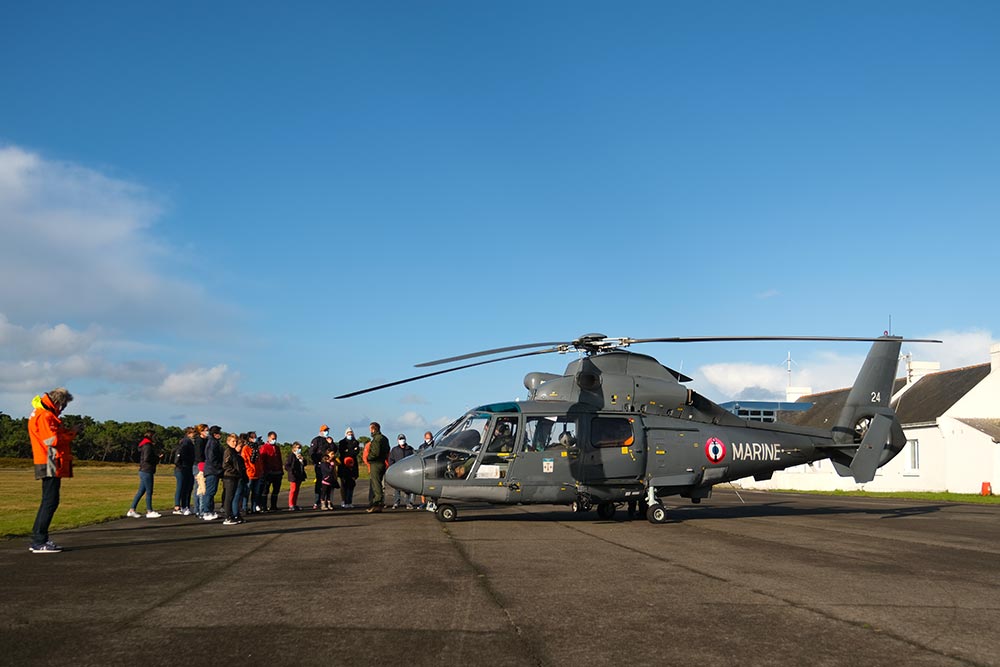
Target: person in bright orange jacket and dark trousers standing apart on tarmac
(50, 448)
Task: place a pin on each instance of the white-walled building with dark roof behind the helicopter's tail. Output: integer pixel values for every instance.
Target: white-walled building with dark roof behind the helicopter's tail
(952, 425)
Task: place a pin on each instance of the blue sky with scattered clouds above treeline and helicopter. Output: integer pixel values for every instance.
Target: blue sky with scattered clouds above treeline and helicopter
(233, 212)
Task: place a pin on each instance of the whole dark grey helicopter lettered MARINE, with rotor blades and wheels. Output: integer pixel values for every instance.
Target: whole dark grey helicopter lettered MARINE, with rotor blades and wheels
(618, 427)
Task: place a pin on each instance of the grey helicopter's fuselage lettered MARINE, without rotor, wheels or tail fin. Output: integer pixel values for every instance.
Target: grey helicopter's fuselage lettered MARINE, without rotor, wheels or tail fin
(557, 452)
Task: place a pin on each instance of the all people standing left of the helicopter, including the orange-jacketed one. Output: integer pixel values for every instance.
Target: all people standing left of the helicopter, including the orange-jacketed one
(250, 470)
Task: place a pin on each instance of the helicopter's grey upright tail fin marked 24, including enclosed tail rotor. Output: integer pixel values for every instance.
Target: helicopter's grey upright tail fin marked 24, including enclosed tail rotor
(866, 421)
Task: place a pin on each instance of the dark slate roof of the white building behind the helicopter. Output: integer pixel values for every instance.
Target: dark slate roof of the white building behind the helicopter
(929, 398)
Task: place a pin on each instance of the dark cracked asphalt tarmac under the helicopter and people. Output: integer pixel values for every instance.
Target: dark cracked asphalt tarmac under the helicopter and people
(769, 579)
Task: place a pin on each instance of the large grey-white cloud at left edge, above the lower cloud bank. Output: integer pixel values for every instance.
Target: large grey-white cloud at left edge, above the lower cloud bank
(76, 246)
